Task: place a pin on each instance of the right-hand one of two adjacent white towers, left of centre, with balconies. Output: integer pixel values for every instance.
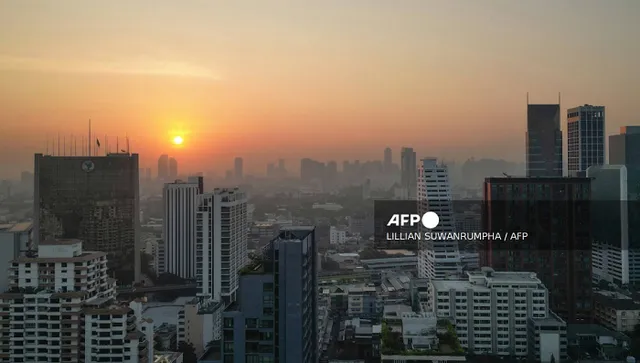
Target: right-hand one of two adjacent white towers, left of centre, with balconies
(221, 243)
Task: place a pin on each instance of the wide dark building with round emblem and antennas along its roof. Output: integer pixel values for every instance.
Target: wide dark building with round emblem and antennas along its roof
(92, 198)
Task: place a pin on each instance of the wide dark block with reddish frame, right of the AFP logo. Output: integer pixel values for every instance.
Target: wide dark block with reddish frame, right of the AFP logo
(555, 212)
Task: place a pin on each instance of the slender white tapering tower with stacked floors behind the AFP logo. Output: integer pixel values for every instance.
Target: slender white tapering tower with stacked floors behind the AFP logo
(437, 259)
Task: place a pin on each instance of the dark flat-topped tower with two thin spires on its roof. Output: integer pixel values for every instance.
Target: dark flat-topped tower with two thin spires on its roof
(544, 141)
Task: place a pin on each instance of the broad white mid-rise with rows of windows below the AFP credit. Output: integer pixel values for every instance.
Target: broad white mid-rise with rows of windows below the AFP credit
(497, 313)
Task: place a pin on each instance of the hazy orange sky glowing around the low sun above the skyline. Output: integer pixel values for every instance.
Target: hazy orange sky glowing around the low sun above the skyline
(324, 79)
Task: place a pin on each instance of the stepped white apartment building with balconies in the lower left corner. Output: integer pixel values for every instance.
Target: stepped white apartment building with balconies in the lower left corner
(55, 300)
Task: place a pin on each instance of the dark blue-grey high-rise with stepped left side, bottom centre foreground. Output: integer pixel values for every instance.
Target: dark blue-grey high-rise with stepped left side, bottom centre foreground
(276, 316)
